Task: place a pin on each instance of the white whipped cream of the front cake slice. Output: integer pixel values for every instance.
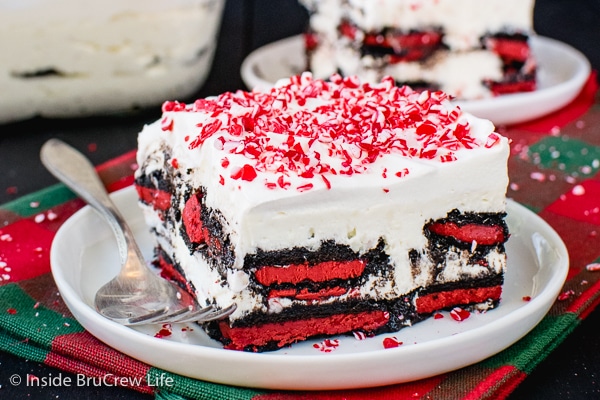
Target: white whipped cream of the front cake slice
(356, 211)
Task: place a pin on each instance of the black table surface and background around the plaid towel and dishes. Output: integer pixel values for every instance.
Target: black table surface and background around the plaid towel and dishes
(570, 372)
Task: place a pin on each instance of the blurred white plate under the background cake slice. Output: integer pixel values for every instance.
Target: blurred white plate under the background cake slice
(562, 72)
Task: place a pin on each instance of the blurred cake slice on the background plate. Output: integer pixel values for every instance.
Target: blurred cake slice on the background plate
(471, 49)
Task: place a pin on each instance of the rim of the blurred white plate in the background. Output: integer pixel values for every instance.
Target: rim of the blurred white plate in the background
(561, 94)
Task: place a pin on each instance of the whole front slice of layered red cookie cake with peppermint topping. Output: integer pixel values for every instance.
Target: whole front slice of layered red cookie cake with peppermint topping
(325, 207)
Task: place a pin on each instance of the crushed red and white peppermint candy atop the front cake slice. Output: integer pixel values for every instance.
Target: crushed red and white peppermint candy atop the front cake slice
(313, 128)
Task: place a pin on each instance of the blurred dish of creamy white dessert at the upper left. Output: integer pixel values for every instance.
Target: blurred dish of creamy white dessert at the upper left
(63, 58)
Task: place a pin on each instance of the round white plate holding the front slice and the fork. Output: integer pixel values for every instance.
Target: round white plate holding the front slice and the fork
(84, 257)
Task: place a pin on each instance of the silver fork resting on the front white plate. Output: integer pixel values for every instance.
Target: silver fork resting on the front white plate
(136, 295)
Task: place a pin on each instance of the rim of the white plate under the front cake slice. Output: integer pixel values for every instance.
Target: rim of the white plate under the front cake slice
(108, 331)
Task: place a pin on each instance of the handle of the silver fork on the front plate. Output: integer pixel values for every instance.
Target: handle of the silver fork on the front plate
(73, 169)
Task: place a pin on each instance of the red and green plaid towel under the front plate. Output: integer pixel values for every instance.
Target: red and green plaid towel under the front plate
(554, 170)
